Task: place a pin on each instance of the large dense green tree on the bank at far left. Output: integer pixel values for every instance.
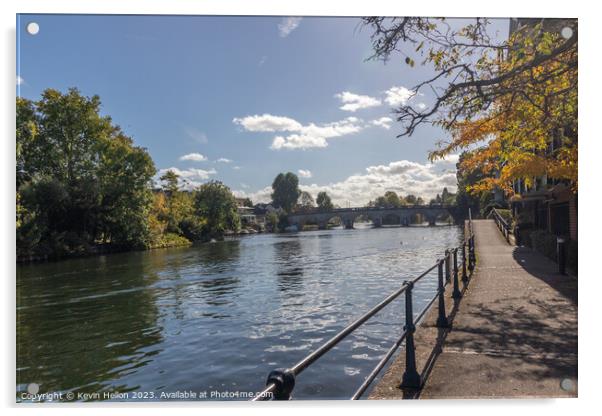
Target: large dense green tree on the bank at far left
(80, 180)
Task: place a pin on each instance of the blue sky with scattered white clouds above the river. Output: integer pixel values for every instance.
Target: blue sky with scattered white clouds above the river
(241, 99)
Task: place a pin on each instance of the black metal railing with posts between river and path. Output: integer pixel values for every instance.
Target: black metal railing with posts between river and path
(281, 382)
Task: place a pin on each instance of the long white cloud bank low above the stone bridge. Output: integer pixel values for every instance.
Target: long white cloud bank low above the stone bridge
(402, 176)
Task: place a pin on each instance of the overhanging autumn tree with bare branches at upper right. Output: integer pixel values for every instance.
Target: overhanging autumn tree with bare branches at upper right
(518, 96)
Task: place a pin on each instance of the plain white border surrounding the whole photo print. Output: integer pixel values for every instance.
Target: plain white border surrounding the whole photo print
(590, 290)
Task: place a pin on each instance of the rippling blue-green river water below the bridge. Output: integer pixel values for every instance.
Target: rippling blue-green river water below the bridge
(218, 317)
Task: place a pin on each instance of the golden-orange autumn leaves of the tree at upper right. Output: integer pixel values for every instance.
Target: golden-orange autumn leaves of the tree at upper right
(530, 130)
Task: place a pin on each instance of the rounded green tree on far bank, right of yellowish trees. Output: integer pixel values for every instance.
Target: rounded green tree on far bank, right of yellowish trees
(216, 205)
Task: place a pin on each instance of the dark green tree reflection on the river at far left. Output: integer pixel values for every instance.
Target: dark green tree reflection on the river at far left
(82, 332)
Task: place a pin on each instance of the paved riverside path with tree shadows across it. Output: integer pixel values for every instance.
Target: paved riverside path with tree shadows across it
(514, 332)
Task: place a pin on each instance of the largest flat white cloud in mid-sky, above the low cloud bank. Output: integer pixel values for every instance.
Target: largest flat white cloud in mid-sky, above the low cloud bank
(304, 136)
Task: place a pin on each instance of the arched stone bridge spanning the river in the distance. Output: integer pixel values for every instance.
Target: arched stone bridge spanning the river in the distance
(401, 216)
